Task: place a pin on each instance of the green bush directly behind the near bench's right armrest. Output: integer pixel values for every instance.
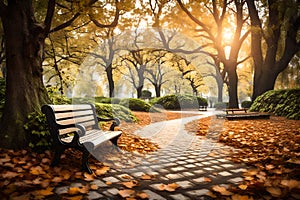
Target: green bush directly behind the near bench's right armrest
(113, 110)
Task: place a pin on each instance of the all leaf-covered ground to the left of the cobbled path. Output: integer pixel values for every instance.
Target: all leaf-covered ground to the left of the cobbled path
(27, 175)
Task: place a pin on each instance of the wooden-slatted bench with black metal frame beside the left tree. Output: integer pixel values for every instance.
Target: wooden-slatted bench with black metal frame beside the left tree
(76, 126)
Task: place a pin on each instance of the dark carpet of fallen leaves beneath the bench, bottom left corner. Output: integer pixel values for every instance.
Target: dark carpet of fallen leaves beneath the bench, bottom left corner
(28, 175)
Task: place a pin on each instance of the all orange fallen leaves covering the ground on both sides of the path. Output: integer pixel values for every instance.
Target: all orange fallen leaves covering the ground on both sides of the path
(270, 146)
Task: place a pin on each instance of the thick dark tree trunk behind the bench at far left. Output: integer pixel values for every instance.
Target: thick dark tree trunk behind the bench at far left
(25, 91)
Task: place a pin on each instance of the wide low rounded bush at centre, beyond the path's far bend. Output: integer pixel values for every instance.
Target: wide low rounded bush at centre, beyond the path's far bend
(179, 101)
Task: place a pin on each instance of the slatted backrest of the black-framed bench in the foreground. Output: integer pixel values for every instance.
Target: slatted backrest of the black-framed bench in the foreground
(69, 115)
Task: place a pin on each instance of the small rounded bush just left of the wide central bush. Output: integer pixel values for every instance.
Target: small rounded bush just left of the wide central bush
(137, 105)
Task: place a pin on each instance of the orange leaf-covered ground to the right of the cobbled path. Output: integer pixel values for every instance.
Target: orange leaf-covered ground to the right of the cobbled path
(271, 146)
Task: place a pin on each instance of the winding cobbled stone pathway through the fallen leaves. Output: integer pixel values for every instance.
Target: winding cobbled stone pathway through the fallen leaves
(195, 164)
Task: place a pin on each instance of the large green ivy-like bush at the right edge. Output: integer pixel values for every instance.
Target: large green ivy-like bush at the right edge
(279, 102)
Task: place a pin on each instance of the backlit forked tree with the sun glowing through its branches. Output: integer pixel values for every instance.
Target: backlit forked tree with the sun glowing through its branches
(213, 31)
